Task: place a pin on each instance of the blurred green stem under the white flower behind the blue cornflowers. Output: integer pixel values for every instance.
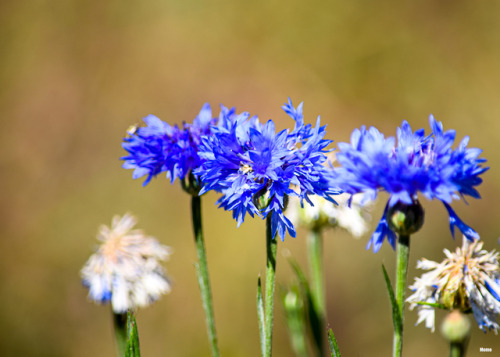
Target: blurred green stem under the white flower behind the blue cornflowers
(315, 257)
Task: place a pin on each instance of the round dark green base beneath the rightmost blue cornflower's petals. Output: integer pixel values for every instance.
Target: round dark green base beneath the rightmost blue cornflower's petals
(405, 219)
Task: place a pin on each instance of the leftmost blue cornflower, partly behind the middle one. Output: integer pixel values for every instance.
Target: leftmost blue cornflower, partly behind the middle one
(159, 147)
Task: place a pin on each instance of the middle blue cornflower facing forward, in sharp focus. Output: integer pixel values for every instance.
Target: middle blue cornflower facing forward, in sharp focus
(256, 169)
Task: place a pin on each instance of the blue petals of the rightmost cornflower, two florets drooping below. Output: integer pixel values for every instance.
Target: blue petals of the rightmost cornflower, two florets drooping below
(416, 163)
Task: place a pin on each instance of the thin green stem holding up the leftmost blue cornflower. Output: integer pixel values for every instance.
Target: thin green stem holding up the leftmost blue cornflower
(202, 273)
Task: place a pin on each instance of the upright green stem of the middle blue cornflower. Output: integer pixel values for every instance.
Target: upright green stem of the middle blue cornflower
(271, 250)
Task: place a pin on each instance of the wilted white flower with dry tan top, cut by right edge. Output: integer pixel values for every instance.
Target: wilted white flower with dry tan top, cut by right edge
(466, 280)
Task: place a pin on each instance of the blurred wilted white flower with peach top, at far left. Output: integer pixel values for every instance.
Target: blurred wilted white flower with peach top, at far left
(126, 268)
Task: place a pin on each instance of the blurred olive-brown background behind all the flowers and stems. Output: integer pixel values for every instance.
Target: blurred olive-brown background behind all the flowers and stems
(75, 74)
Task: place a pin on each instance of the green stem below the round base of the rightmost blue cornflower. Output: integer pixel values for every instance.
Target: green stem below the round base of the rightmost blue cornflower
(402, 254)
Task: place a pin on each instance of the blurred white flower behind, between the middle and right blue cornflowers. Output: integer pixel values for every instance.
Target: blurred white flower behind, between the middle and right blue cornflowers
(324, 213)
